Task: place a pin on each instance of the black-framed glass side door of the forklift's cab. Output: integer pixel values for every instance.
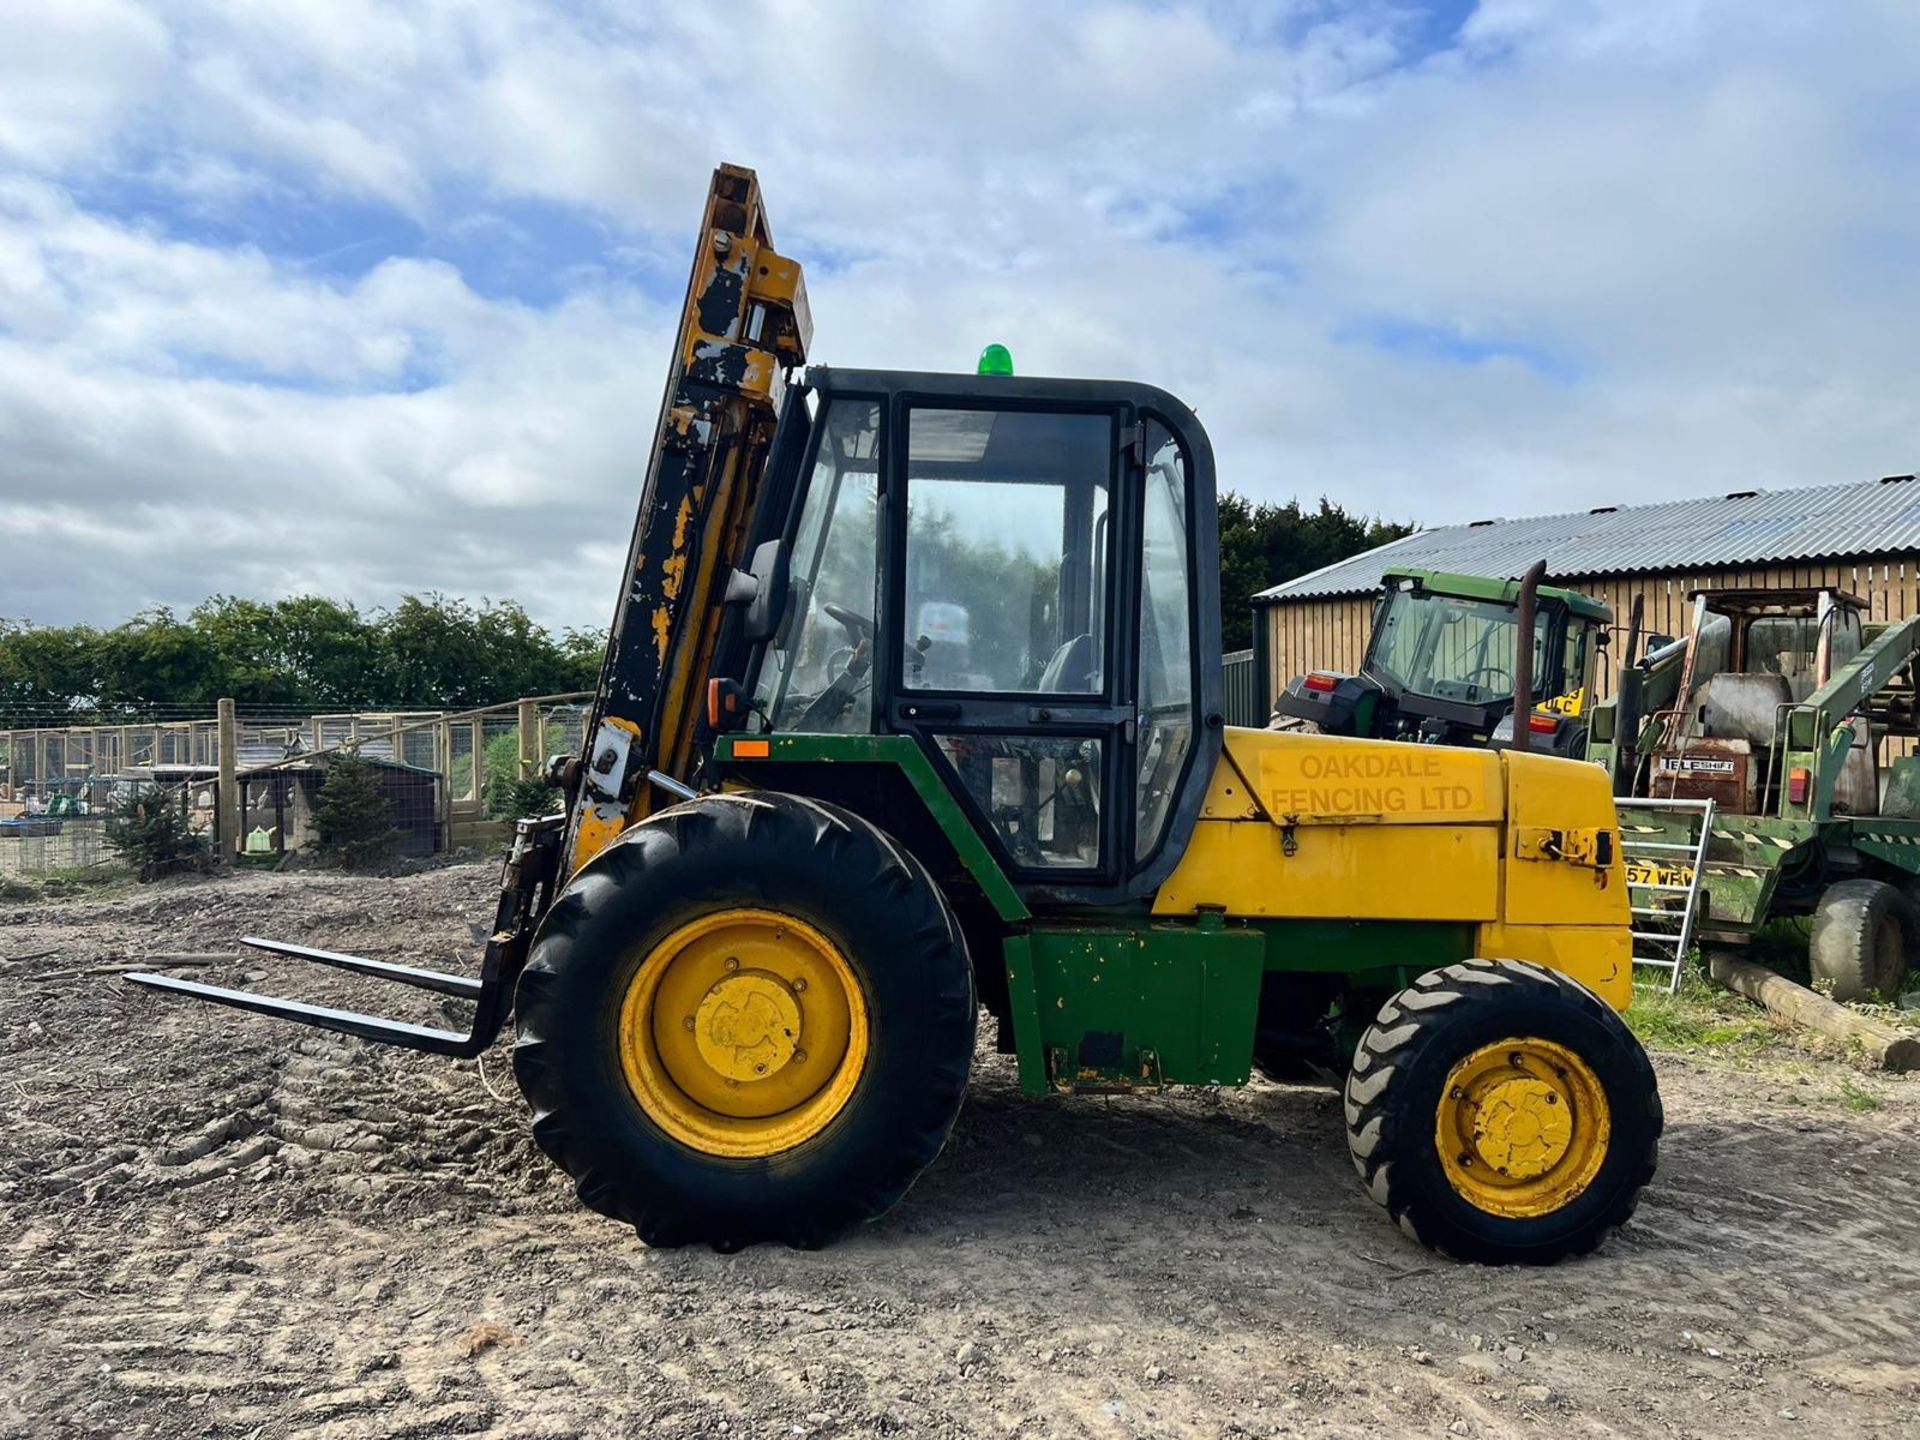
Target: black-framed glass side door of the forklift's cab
(1007, 661)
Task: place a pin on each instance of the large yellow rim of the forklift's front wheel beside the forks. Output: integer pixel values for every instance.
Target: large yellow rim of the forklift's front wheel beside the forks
(744, 1034)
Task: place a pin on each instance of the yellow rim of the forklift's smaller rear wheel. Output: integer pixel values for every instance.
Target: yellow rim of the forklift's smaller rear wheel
(1522, 1128)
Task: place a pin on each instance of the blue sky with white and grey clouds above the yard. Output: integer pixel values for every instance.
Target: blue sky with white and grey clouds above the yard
(373, 299)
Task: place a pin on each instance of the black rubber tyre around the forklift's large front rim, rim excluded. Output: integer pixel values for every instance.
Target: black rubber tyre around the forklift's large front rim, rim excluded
(784, 853)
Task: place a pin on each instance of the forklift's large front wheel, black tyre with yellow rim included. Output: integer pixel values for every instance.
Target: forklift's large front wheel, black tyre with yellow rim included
(750, 1020)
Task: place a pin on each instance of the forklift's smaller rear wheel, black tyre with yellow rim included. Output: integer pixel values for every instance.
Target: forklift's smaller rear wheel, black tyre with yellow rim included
(1504, 1115)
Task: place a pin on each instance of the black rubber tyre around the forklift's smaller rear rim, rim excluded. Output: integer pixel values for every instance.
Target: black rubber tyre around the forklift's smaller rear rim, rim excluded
(1393, 1095)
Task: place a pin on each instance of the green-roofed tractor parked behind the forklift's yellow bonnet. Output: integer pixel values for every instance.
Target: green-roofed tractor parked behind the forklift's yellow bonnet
(1441, 667)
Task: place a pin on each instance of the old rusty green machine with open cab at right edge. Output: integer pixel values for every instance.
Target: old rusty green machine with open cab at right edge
(1775, 708)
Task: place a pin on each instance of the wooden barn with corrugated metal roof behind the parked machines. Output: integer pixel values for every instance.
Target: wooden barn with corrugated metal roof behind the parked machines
(1858, 537)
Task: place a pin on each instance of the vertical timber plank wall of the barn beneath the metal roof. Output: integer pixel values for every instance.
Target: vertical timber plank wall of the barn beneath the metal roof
(1332, 635)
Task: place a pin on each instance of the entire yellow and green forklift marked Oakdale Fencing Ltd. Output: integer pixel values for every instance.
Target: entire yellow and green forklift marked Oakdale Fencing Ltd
(913, 706)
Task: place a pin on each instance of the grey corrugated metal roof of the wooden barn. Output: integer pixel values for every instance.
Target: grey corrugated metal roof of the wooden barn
(1756, 527)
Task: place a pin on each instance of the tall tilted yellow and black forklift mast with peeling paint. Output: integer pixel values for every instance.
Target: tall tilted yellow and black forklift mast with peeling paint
(744, 325)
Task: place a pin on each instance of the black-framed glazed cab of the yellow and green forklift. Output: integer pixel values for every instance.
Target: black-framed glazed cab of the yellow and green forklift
(1009, 573)
